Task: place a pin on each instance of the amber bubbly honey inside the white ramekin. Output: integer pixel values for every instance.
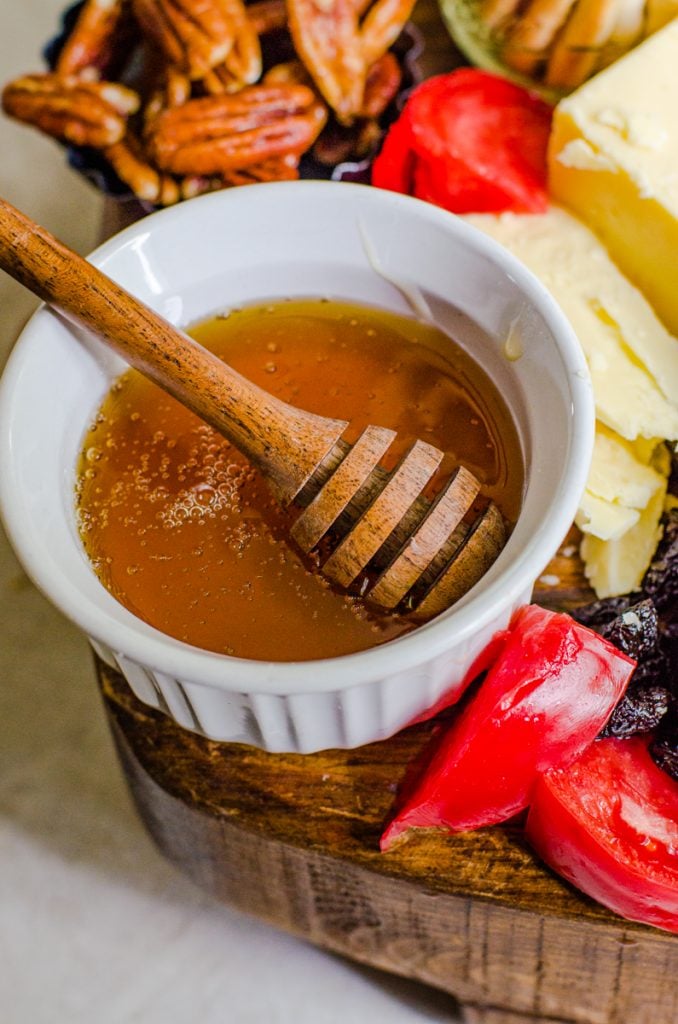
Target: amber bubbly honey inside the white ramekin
(185, 534)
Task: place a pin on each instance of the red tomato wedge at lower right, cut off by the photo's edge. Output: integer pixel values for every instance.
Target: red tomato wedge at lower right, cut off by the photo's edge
(609, 824)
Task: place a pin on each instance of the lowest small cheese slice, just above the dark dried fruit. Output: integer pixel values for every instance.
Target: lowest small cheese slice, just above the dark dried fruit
(618, 567)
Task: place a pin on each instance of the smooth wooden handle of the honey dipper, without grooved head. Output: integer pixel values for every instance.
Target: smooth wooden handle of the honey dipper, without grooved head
(286, 444)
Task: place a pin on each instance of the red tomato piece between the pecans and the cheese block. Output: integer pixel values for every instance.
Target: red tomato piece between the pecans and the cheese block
(470, 142)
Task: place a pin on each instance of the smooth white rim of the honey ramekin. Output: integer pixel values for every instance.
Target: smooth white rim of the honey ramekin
(148, 647)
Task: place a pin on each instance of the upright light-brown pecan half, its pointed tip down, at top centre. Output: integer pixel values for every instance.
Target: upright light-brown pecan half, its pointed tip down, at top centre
(327, 38)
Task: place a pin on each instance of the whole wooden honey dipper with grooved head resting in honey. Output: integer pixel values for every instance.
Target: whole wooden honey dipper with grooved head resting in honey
(376, 527)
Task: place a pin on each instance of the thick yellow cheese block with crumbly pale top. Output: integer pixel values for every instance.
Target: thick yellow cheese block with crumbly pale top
(614, 160)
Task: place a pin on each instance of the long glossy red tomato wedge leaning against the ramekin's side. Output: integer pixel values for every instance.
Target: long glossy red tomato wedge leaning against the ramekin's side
(543, 702)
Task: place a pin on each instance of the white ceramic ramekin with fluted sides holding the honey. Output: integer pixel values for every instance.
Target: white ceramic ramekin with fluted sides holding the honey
(302, 239)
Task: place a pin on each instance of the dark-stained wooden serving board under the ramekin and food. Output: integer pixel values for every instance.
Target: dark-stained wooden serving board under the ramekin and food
(294, 840)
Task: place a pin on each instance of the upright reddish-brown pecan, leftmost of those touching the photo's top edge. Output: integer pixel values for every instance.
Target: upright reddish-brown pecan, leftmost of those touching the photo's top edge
(98, 39)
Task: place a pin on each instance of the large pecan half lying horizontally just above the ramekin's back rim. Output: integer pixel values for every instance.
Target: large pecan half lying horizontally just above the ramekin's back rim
(217, 135)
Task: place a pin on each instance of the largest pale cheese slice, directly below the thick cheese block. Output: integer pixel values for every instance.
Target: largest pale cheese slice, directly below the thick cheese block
(632, 359)
